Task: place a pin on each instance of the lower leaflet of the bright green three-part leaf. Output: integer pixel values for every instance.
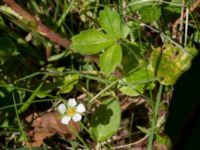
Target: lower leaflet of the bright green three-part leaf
(110, 58)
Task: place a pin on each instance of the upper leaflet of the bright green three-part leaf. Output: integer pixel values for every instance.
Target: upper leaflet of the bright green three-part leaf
(110, 21)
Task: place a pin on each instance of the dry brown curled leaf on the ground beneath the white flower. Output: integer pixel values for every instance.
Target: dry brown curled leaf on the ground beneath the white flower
(47, 125)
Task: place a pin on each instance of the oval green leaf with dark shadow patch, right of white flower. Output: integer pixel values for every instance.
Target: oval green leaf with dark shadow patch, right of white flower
(105, 120)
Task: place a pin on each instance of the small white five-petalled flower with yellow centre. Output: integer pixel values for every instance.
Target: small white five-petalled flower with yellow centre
(71, 112)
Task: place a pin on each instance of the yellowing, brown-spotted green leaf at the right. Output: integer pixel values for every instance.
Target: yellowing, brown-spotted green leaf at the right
(170, 62)
